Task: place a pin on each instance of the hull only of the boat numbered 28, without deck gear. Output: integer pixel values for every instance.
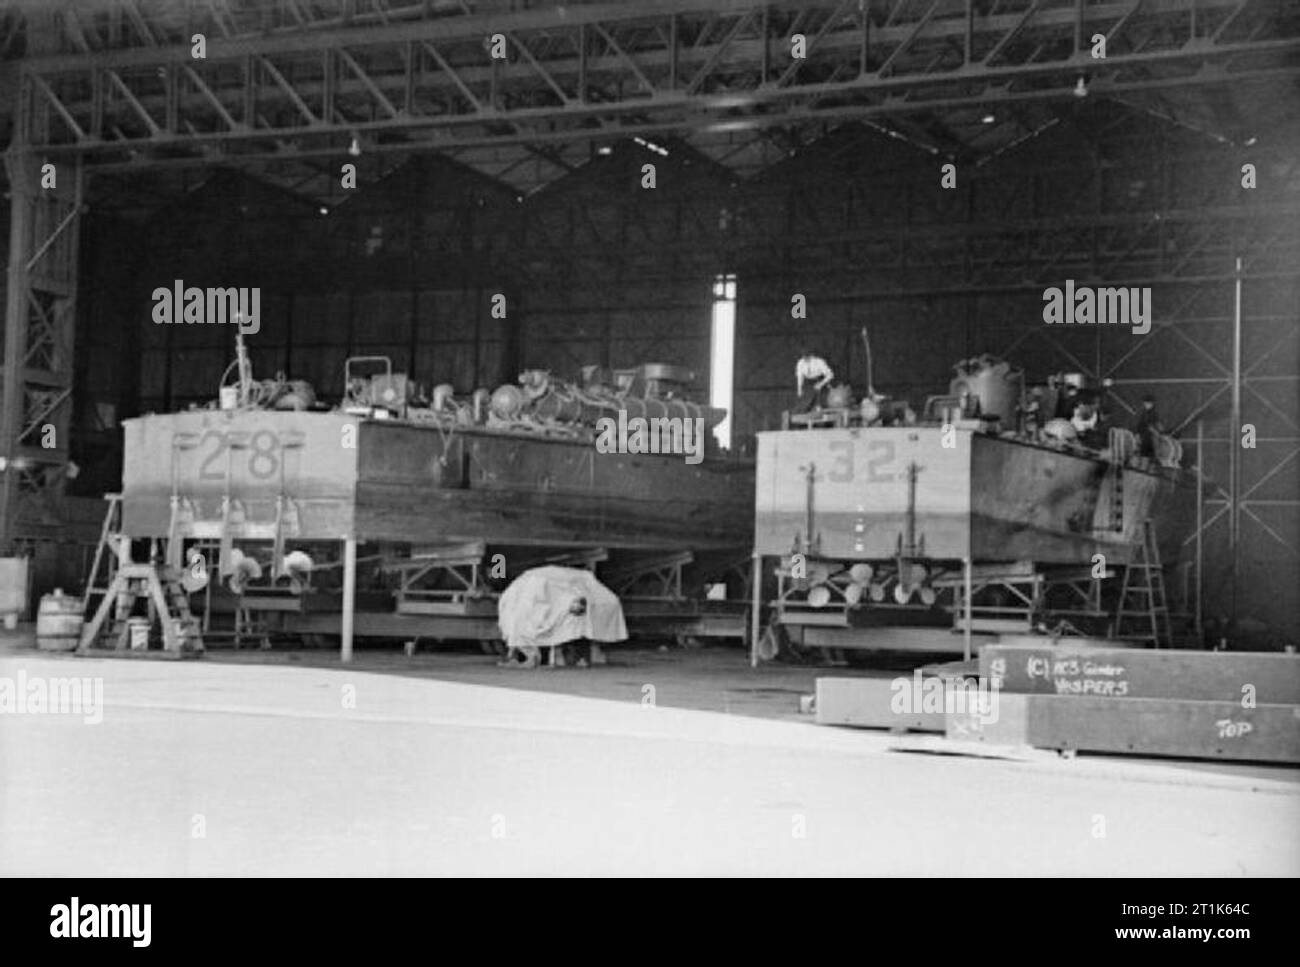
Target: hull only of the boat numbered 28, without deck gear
(324, 476)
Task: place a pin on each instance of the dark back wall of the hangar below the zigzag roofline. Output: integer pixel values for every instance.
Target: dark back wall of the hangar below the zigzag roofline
(599, 271)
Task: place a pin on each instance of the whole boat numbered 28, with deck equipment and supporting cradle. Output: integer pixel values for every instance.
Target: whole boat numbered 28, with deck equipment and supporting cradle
(422, 508)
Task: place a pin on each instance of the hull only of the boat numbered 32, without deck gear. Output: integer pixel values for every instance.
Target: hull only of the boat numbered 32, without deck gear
(870, 493)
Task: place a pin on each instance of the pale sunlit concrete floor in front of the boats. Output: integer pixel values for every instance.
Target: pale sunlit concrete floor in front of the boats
(285, 764)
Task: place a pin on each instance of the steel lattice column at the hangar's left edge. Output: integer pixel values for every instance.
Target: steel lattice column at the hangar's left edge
(37, 372)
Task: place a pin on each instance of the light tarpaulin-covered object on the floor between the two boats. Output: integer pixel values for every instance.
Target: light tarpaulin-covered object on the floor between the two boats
(552, 606)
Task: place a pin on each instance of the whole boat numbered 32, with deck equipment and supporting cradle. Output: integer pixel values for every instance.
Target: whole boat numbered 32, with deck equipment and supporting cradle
(980, 515)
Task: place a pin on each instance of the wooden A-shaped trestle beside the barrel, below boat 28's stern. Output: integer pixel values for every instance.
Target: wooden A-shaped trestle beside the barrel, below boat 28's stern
(167, 602)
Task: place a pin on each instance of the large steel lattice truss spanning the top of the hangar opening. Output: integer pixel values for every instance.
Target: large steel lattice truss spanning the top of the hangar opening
(298, 79)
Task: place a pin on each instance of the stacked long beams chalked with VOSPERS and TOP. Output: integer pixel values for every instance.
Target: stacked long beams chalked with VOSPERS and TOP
(1203, 705)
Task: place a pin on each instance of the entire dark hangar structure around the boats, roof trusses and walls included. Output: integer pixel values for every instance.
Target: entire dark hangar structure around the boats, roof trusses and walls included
(1121, 144)
